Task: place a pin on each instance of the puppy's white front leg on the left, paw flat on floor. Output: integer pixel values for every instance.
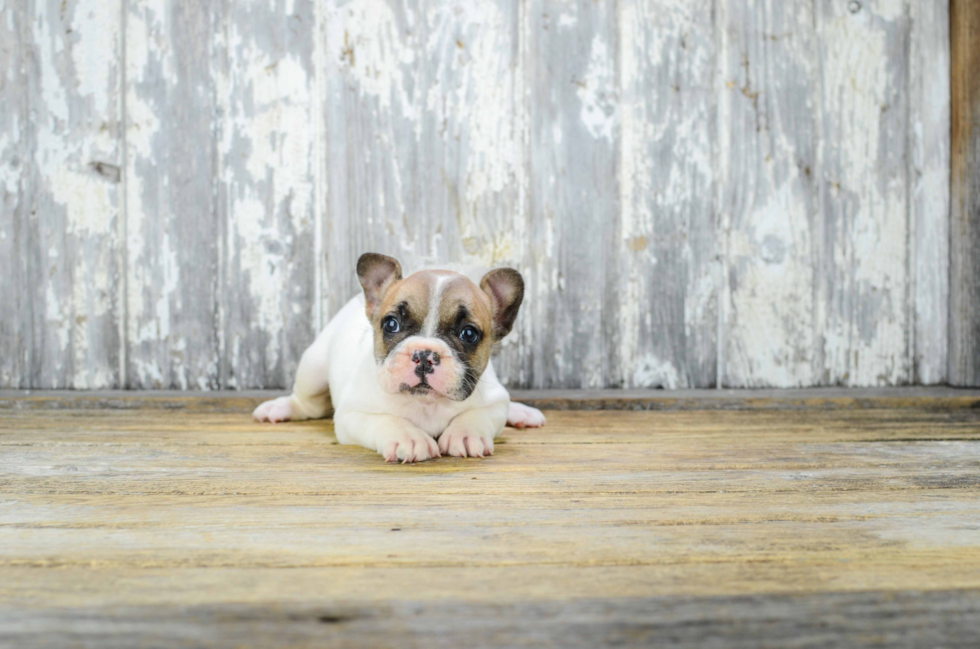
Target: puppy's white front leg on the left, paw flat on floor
(393, 437)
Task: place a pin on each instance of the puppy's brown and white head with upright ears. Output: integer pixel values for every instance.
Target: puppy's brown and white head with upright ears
(433, 330)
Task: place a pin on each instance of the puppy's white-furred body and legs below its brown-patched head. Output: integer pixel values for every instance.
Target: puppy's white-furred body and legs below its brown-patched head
(340, 368)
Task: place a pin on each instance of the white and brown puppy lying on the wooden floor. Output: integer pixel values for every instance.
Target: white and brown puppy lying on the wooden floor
(405, 367)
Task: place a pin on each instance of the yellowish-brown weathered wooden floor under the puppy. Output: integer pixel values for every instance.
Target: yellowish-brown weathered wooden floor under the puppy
(186, 525)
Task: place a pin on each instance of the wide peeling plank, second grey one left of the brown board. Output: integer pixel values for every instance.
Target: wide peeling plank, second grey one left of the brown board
(864, 261)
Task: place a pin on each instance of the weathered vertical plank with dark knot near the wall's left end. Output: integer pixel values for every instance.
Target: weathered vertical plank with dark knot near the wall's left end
(74, 199)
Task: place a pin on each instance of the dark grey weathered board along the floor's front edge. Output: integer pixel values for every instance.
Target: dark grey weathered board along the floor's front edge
(864, 619)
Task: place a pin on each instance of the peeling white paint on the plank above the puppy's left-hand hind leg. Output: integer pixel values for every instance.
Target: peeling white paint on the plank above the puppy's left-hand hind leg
(267, 151)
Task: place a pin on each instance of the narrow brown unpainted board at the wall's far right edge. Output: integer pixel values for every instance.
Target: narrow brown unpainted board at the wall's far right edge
(964, 287)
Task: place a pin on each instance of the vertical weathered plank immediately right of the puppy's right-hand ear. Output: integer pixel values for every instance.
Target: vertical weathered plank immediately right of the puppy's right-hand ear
(573, 198)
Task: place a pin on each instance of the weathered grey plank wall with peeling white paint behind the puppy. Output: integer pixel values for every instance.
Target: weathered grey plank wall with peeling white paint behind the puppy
(699, 193)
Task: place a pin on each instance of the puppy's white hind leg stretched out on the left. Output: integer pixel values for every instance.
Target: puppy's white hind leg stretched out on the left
(311, 391)
